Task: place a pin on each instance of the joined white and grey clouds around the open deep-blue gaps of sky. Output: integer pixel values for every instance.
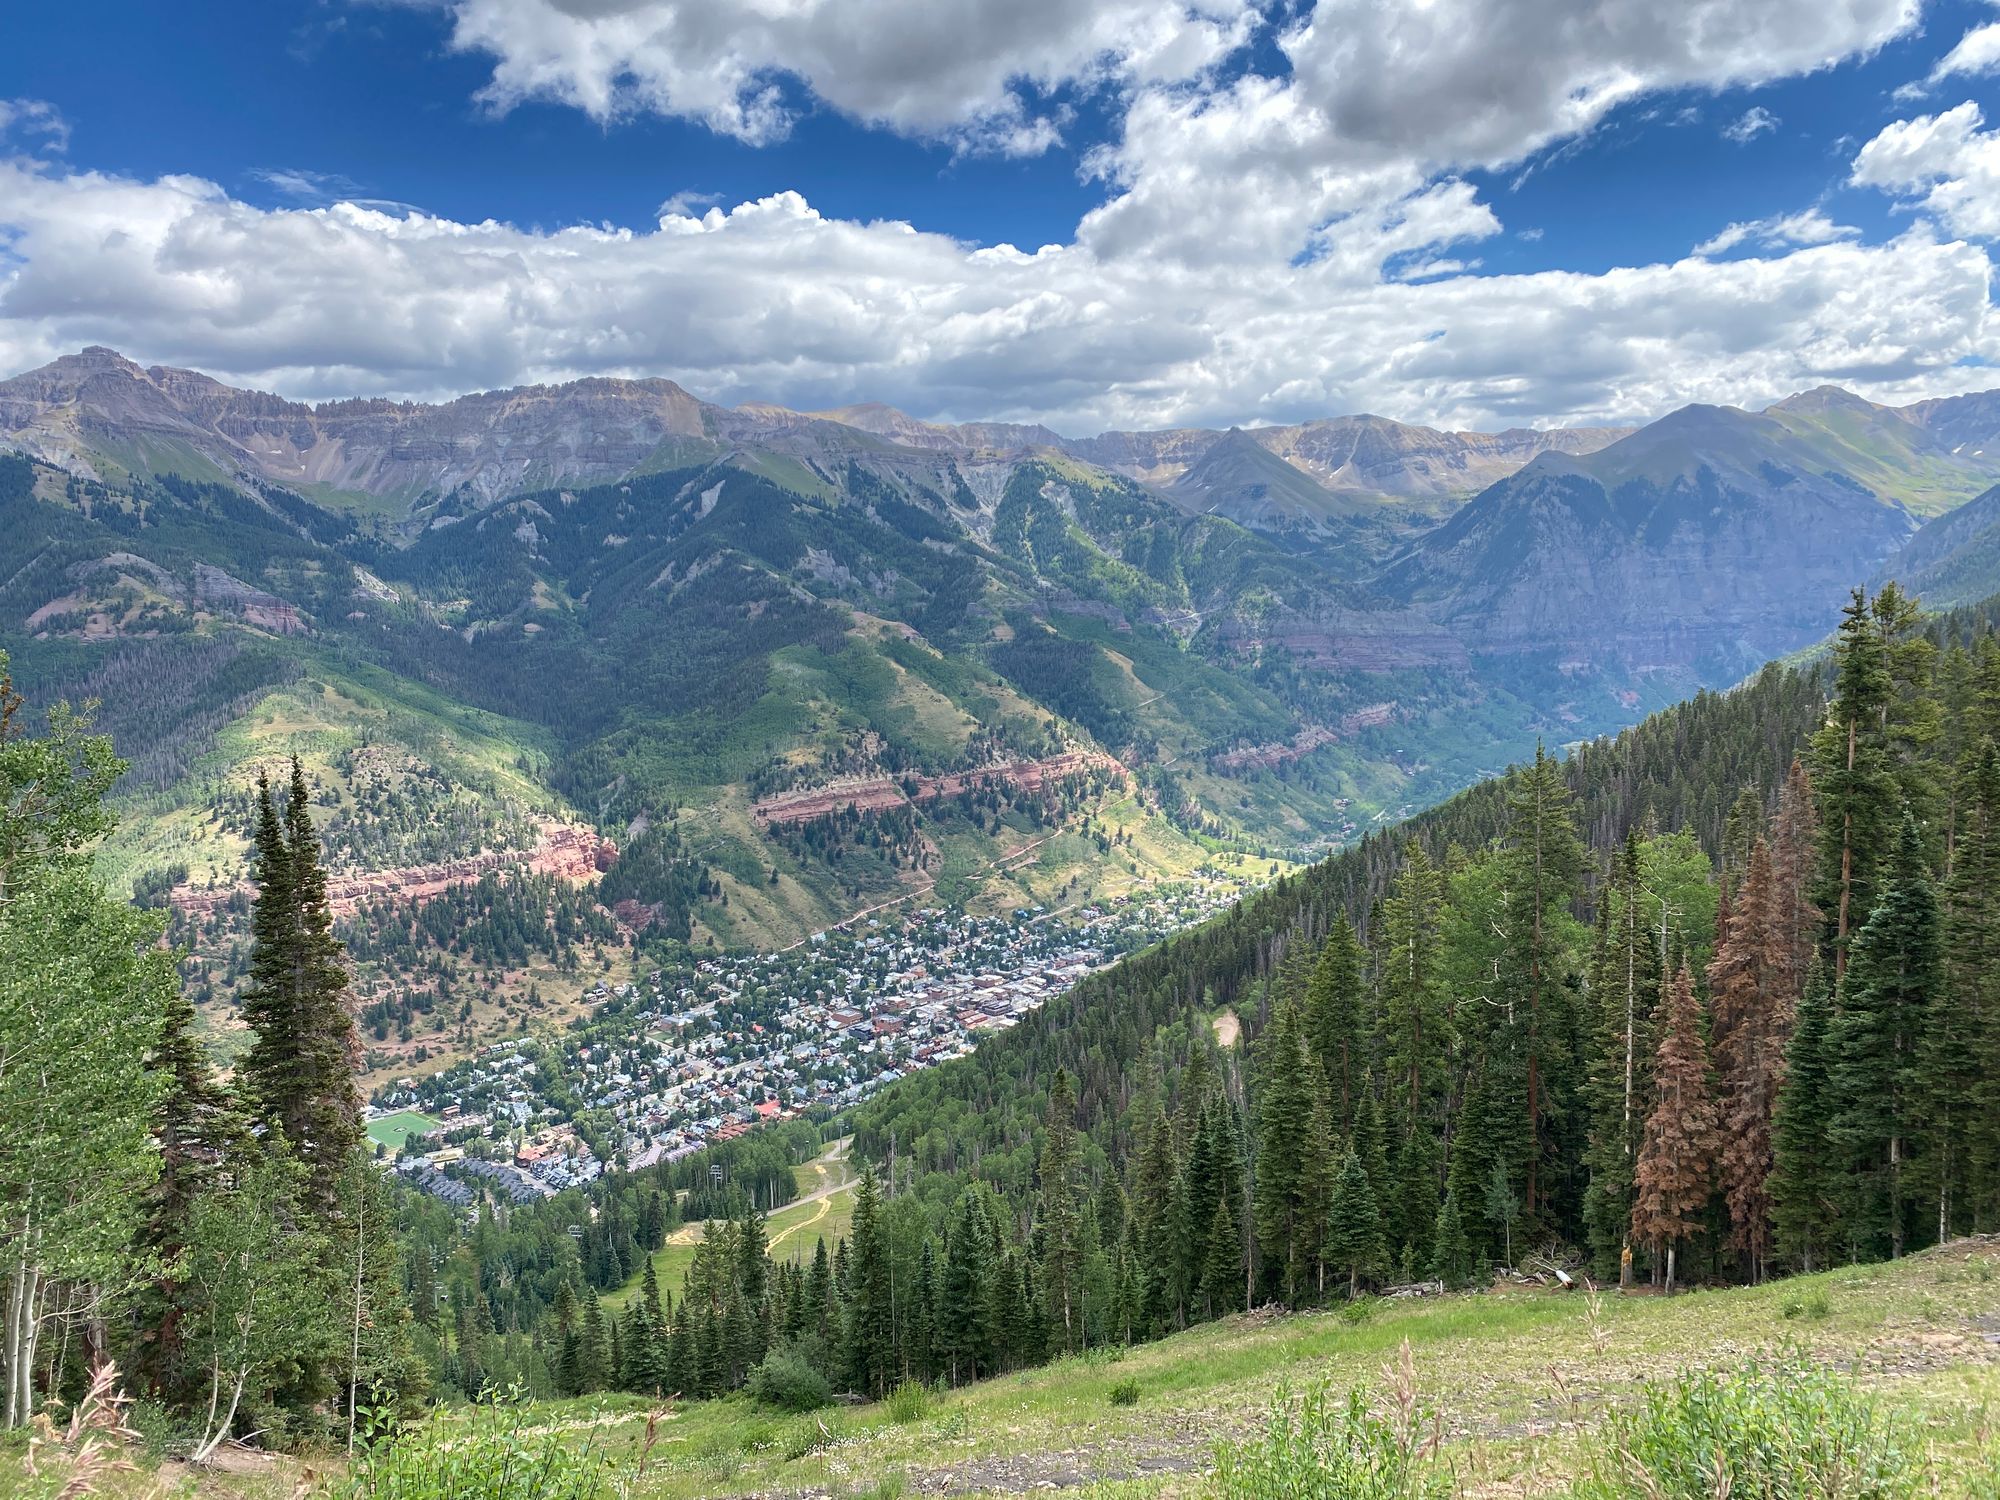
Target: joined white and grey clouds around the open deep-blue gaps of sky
(1269, 245)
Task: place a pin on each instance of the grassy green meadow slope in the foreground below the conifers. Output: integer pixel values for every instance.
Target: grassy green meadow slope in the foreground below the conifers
(1519, 1379)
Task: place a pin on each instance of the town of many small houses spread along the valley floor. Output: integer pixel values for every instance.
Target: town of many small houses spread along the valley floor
(683, 1061)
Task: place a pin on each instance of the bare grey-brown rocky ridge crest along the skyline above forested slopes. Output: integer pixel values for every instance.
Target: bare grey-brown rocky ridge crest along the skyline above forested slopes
(97, 407)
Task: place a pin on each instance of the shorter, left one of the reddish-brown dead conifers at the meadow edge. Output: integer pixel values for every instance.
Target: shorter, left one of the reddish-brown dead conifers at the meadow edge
(1675, 1167)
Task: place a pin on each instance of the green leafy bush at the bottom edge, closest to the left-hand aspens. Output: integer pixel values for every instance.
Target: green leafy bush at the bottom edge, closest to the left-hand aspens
(489, 1453)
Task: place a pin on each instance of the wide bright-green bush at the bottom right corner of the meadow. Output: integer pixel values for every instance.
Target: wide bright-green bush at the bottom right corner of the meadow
(1781, 1433)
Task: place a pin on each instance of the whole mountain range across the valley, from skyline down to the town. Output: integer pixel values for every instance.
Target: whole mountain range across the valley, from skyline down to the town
(731, 655)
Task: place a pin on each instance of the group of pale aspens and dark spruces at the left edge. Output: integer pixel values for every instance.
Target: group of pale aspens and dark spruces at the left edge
(223, 1245)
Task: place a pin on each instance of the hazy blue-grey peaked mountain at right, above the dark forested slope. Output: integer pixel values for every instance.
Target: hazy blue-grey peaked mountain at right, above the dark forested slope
(1701, 541)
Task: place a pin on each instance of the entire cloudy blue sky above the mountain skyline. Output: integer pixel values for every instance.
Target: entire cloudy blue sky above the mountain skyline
(1455, 211)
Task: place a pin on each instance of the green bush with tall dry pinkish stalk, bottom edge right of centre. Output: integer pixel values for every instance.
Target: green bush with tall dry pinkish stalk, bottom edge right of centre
(1327, 1447)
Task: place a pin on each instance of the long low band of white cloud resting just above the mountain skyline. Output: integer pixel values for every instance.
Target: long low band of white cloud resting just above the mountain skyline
(775, 301)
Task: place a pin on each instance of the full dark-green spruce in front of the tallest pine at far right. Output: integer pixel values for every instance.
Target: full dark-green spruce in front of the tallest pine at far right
(1877, 1045)
